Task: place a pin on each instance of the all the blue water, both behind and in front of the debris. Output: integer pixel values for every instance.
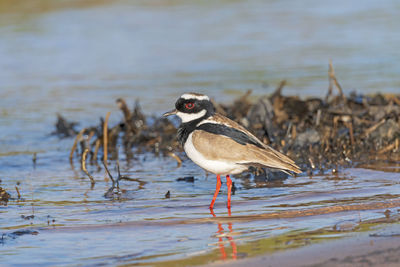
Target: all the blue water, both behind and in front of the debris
(77, 60)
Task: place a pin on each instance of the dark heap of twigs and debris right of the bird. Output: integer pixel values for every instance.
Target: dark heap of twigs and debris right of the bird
(325, 134)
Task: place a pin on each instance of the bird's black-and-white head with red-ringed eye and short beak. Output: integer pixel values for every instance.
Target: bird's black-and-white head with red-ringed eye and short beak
(192, 106)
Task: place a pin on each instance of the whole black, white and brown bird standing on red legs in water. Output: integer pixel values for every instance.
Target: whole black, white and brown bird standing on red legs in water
(220, 145)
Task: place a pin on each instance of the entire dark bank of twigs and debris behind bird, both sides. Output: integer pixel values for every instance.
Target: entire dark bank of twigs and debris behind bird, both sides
(319, 134)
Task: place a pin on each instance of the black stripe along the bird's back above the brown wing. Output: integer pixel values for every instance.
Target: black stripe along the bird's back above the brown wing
(236, 135)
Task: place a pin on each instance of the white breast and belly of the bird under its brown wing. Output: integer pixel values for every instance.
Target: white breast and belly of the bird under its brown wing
(214, 166)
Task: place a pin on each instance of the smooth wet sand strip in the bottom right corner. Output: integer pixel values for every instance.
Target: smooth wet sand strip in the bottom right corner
(376, 248)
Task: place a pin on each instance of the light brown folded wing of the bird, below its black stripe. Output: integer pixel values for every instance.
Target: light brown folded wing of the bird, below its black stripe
(223, 148)
